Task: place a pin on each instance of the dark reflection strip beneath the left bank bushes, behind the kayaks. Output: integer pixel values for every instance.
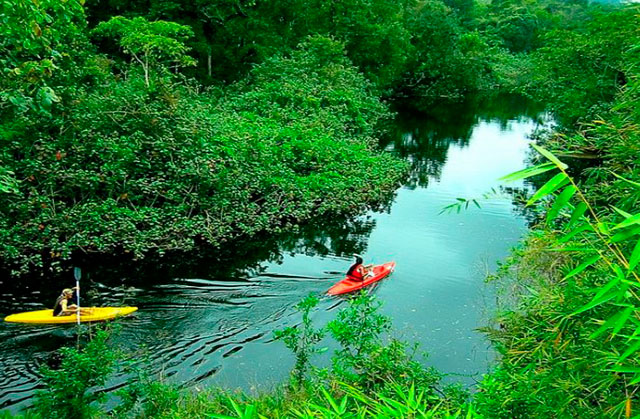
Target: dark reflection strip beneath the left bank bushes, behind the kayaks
(342, 236)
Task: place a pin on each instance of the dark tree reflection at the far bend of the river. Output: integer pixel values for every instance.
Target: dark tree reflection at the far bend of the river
(424, 138)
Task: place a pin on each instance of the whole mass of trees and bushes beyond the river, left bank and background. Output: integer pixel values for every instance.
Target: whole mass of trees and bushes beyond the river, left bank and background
(110, 145)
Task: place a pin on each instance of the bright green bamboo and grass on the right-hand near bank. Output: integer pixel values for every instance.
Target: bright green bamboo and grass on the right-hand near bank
(571, 347)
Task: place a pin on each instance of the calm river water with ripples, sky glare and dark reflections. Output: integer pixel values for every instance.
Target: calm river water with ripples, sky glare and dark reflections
(208, 319)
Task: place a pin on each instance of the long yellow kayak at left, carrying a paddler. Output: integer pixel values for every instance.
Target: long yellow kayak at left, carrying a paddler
(46, 316)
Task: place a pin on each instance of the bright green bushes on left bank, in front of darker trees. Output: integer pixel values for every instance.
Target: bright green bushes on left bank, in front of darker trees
(151, 162)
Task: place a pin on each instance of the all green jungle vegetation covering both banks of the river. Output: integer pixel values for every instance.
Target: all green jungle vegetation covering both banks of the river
(151, 126)
